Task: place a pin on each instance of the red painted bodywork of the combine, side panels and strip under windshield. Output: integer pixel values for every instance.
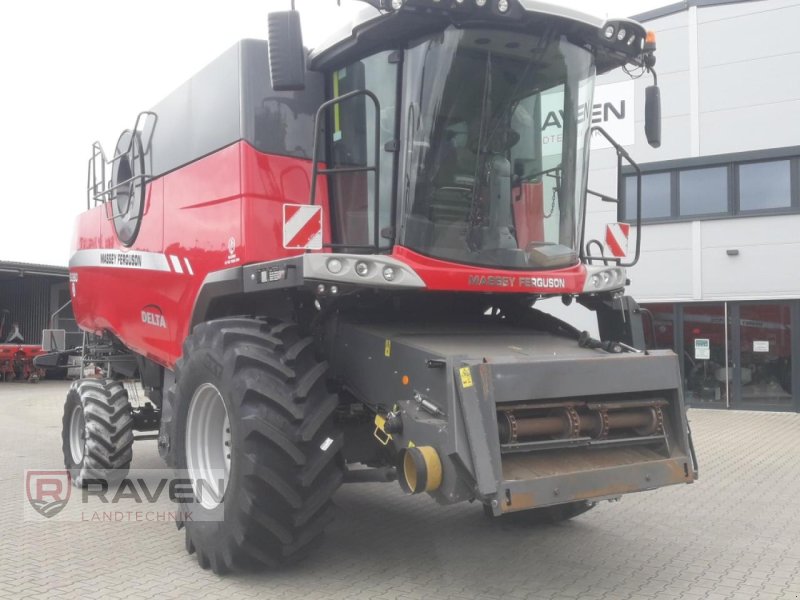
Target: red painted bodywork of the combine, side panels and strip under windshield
(222, 211)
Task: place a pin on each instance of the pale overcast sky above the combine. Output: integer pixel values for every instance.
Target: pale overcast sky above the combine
(72, 73)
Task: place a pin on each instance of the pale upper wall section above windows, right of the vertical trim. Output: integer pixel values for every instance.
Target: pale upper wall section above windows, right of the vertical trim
(749, 60)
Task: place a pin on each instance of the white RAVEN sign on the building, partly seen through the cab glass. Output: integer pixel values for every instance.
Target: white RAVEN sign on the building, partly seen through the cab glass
(612, 108)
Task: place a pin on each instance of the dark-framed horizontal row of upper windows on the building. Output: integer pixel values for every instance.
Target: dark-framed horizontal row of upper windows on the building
(713, 187)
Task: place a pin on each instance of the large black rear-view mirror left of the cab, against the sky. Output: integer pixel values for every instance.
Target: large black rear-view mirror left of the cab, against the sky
(286, 53)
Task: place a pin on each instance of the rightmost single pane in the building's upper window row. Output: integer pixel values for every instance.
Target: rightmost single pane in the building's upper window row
(765, 185)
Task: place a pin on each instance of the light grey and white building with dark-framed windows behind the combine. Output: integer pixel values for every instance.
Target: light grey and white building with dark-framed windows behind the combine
(718, 271)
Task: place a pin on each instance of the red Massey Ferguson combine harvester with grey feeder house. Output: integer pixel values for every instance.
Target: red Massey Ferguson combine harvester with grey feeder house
(322, 267)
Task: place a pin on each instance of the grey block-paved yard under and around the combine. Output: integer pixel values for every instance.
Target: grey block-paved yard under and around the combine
(735, 534)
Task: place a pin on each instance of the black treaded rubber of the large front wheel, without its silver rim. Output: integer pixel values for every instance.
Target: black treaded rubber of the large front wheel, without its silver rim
(286, 484)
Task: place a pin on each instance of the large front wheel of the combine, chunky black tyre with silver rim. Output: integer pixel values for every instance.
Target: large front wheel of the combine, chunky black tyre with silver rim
(256, 385)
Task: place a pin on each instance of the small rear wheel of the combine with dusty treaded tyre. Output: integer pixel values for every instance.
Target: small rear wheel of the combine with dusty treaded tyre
(97, 431)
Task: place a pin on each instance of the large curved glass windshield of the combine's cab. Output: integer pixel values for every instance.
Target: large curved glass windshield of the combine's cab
(497, 129)
